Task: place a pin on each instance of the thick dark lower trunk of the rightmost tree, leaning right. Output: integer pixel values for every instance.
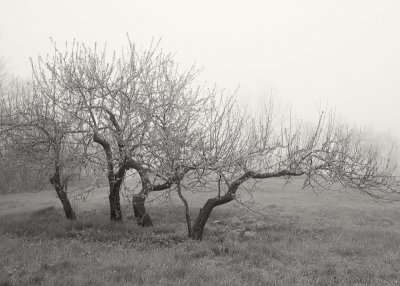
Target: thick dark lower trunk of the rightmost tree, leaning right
(204, 214)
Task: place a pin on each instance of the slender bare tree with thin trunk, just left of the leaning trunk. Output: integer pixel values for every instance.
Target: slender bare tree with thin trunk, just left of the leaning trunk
(193, 141)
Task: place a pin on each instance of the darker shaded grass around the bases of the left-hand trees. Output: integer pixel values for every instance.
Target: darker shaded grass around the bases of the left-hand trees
(50, 223)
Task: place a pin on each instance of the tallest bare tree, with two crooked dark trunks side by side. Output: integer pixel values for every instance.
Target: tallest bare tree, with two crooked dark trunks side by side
(121, 101)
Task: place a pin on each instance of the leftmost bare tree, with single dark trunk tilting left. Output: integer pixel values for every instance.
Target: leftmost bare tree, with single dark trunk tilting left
(40, 135)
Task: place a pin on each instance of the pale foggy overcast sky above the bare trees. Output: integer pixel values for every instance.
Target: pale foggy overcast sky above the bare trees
(307, 54)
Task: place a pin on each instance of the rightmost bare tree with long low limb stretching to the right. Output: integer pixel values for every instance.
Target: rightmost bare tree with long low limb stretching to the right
(235, 148)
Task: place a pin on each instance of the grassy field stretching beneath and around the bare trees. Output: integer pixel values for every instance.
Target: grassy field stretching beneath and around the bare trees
(296, 238)
